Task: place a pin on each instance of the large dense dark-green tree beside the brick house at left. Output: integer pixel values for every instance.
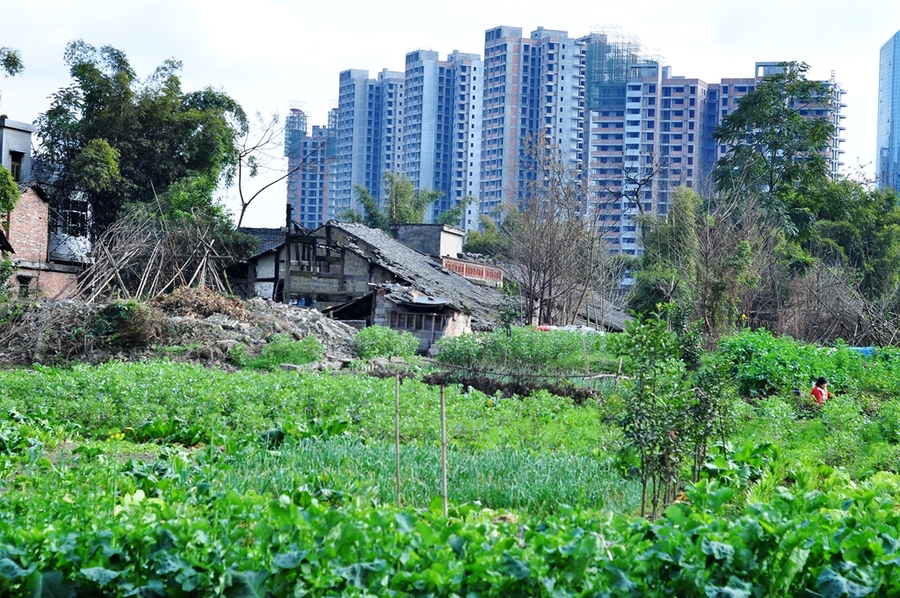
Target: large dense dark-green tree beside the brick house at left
(110, 140)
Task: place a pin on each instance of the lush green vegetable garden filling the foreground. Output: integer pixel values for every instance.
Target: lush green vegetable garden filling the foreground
(158, 478)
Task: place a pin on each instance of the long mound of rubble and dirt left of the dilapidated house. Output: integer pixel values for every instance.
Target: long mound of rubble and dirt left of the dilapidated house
(191, 324)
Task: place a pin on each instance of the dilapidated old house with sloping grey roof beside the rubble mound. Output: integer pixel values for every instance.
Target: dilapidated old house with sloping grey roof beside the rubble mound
(359, 274)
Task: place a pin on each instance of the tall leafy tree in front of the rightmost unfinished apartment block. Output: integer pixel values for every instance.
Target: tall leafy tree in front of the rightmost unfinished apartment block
(775, 139)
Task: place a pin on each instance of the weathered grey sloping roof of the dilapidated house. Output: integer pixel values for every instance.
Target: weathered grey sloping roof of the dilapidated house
(423, 273)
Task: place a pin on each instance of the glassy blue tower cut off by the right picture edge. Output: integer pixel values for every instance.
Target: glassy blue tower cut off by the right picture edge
(887, 156)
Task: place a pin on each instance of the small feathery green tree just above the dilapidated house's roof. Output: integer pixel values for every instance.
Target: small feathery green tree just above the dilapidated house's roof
(404, 204)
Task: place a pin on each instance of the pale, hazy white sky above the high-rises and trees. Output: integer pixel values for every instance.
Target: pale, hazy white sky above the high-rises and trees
(272, 55)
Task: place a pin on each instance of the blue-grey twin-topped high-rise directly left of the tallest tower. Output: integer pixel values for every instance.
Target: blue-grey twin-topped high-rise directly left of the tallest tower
(442, 126)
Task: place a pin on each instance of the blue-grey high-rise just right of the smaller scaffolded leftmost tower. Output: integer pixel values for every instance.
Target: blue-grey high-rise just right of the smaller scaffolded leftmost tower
(367, 141)
